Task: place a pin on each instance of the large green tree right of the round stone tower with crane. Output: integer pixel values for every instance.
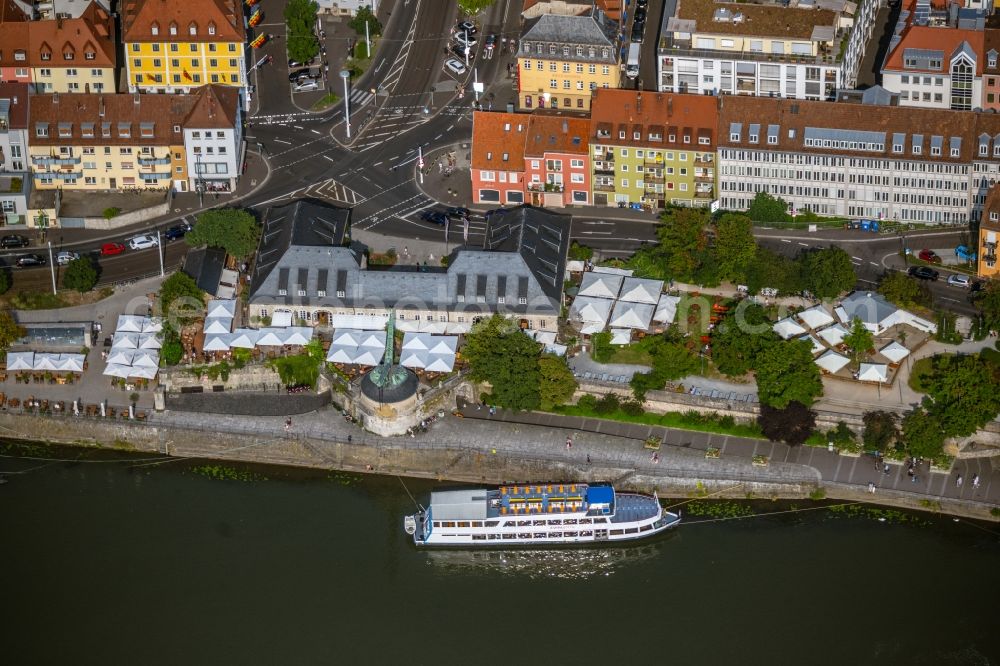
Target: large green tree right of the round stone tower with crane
(500, 353)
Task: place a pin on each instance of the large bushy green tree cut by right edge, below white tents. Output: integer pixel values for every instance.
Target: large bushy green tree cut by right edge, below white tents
(963, 394)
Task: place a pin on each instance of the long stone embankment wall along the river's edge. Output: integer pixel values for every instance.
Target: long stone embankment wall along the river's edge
(452, 463)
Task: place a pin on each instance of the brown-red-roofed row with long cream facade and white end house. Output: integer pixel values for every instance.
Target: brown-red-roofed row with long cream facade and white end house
(100, 142)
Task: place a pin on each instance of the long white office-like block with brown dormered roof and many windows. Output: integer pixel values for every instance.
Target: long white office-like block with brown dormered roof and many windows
(920, 166)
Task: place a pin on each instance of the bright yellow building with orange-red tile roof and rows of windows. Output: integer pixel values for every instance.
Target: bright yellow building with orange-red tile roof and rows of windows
(179, 45)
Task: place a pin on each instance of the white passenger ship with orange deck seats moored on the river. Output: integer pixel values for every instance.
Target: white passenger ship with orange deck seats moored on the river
(537, 515)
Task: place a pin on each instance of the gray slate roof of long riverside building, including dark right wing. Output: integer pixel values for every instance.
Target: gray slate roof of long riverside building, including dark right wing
(526, 259)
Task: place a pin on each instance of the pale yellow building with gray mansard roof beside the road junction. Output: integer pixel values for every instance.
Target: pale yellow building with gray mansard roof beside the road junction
(562, 59)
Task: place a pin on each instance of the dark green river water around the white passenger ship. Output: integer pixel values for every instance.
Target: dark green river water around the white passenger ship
(105, 563)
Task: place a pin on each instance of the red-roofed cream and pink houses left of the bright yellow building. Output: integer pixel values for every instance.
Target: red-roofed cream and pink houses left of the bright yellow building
(62, 54)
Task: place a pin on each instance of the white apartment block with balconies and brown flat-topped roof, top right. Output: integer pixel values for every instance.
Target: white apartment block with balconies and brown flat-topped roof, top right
(806, 50)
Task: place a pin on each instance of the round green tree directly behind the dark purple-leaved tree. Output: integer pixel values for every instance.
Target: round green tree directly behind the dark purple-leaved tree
(786, 373)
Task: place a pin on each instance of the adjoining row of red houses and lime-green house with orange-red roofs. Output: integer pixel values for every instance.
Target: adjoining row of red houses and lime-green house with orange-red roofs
(635, 148)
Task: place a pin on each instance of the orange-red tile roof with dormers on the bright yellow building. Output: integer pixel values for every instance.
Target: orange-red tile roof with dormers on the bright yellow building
(224, 16)
